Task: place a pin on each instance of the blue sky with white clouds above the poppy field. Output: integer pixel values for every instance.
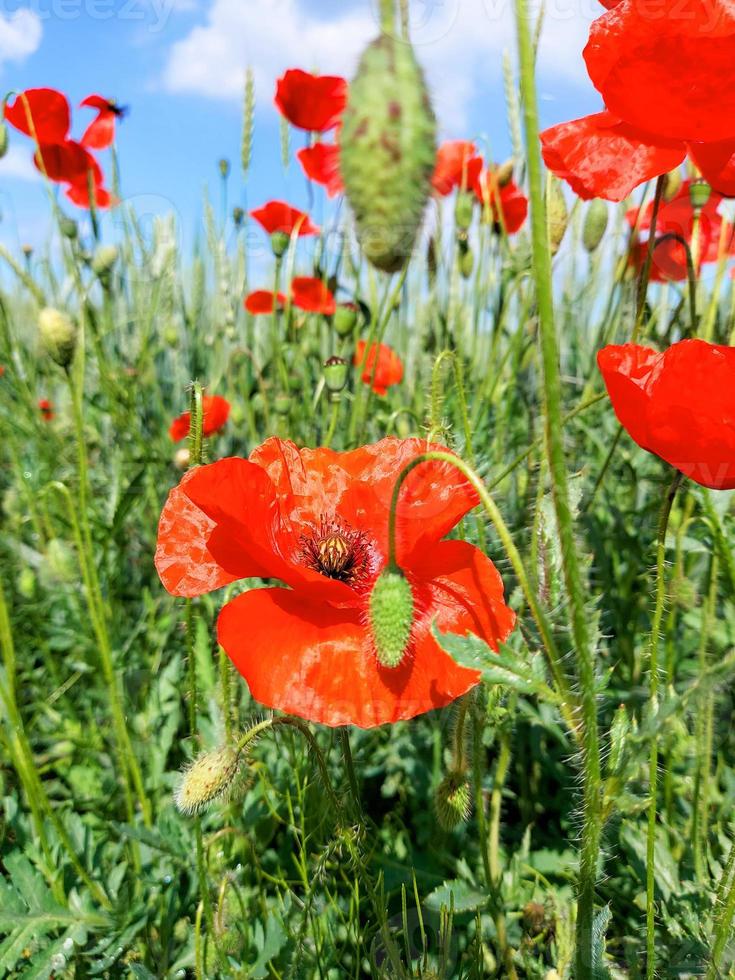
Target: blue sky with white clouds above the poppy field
(179, 65)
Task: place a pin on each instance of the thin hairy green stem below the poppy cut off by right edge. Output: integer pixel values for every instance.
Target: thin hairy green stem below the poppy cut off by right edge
(653, 695)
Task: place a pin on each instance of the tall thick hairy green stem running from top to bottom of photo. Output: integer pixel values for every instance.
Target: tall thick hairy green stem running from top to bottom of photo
(584, 651)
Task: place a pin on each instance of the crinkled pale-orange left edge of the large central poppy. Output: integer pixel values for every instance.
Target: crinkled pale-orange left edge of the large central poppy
(183, 561)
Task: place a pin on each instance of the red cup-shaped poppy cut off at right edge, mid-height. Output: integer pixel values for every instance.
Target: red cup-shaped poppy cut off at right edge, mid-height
(679, 404)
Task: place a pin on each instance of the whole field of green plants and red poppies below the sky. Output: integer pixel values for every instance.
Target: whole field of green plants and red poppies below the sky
(366, 609)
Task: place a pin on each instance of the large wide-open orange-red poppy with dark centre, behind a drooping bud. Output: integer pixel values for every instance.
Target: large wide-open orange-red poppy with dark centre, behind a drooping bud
(317, 520)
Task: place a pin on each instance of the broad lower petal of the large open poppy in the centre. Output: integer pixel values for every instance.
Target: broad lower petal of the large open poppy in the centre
(317, 662)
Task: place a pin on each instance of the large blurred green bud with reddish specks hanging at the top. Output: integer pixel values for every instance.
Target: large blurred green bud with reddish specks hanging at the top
(388, 151)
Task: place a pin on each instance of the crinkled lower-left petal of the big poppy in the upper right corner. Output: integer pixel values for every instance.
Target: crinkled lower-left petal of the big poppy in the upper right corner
(599, 156)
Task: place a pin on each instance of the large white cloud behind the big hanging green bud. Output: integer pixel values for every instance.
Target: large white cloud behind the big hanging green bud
(460, 42)
